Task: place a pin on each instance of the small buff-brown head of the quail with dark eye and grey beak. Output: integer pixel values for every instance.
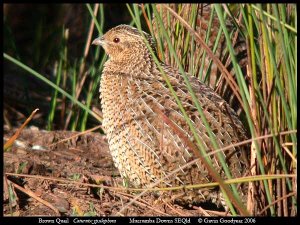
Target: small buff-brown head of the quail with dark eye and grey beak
(123, 42)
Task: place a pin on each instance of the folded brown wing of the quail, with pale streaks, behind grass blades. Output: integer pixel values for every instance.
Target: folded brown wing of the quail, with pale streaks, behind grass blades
(166, 145)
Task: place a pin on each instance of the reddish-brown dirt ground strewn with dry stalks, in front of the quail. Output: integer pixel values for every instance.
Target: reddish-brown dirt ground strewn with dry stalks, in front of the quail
(55, 179)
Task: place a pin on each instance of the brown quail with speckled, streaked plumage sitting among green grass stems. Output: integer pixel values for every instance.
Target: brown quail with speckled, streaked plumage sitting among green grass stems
(145, 148)
